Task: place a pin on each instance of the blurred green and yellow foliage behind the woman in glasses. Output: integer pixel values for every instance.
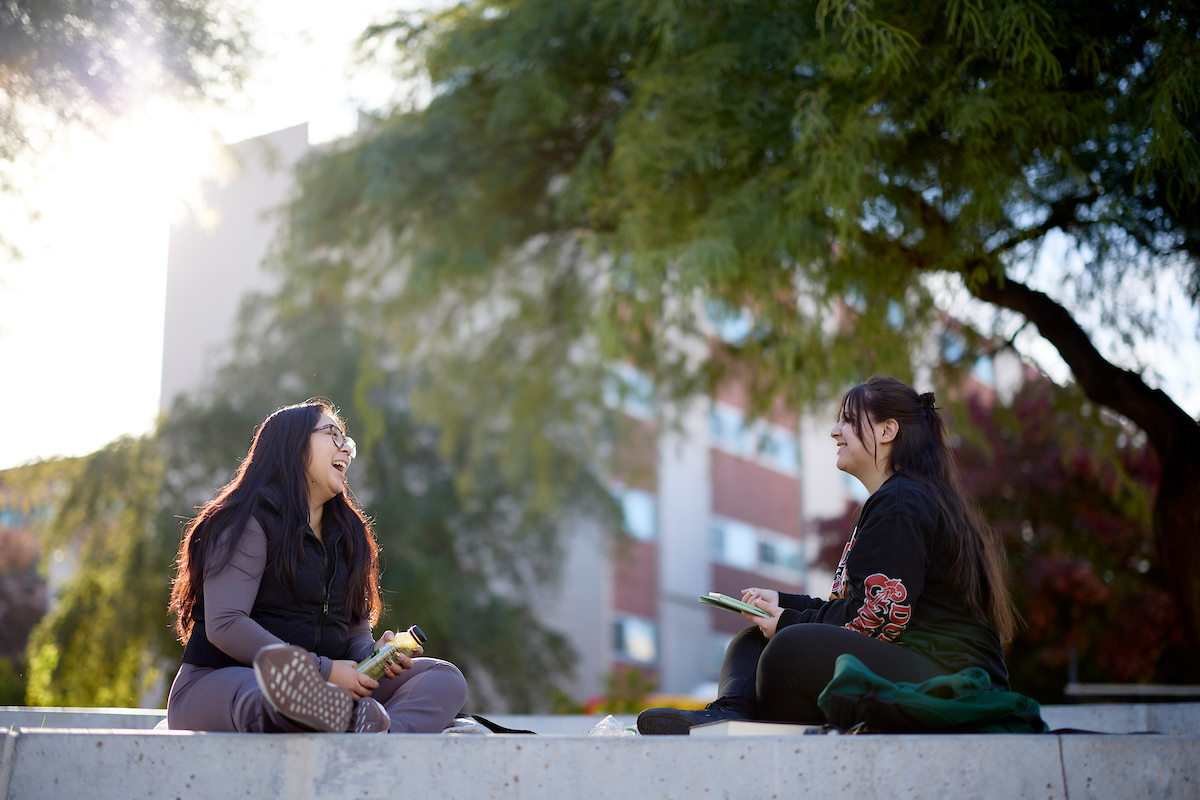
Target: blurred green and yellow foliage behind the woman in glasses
(461, 564)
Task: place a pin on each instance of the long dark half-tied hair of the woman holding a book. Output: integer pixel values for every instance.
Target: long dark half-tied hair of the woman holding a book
(921, 452)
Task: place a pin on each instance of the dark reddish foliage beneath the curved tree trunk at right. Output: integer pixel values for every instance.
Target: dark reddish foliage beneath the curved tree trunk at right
(1071, 489)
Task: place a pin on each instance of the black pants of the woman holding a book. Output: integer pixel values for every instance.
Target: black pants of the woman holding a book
(781, 679)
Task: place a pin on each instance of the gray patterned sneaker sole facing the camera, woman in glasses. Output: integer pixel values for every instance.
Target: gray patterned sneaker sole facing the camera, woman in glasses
(291, 683)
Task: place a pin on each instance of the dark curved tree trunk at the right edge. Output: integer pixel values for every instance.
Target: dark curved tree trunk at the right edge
(1172, 432)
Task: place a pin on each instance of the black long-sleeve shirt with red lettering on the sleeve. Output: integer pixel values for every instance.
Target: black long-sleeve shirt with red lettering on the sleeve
(893, 584)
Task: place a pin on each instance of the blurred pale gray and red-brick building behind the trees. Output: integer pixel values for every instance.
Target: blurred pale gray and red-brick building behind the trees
(716, 504)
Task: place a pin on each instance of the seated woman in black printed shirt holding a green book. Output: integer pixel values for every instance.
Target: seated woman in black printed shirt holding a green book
(920, 591)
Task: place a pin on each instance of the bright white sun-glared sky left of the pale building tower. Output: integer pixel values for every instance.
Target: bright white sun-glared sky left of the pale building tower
(82, 311)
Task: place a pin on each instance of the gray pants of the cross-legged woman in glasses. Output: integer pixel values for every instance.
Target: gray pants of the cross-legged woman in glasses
(227, 700)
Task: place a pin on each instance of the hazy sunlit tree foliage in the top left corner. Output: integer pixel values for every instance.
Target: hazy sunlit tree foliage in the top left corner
(85, 63)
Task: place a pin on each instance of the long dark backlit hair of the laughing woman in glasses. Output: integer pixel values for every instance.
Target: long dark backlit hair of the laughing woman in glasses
(277, 461)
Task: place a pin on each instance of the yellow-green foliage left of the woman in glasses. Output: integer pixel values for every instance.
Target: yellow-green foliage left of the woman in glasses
(105, 641)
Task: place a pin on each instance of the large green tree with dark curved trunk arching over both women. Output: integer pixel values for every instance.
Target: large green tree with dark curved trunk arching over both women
(590, 178)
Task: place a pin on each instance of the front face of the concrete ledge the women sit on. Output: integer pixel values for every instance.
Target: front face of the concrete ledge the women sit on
(47, 763)
